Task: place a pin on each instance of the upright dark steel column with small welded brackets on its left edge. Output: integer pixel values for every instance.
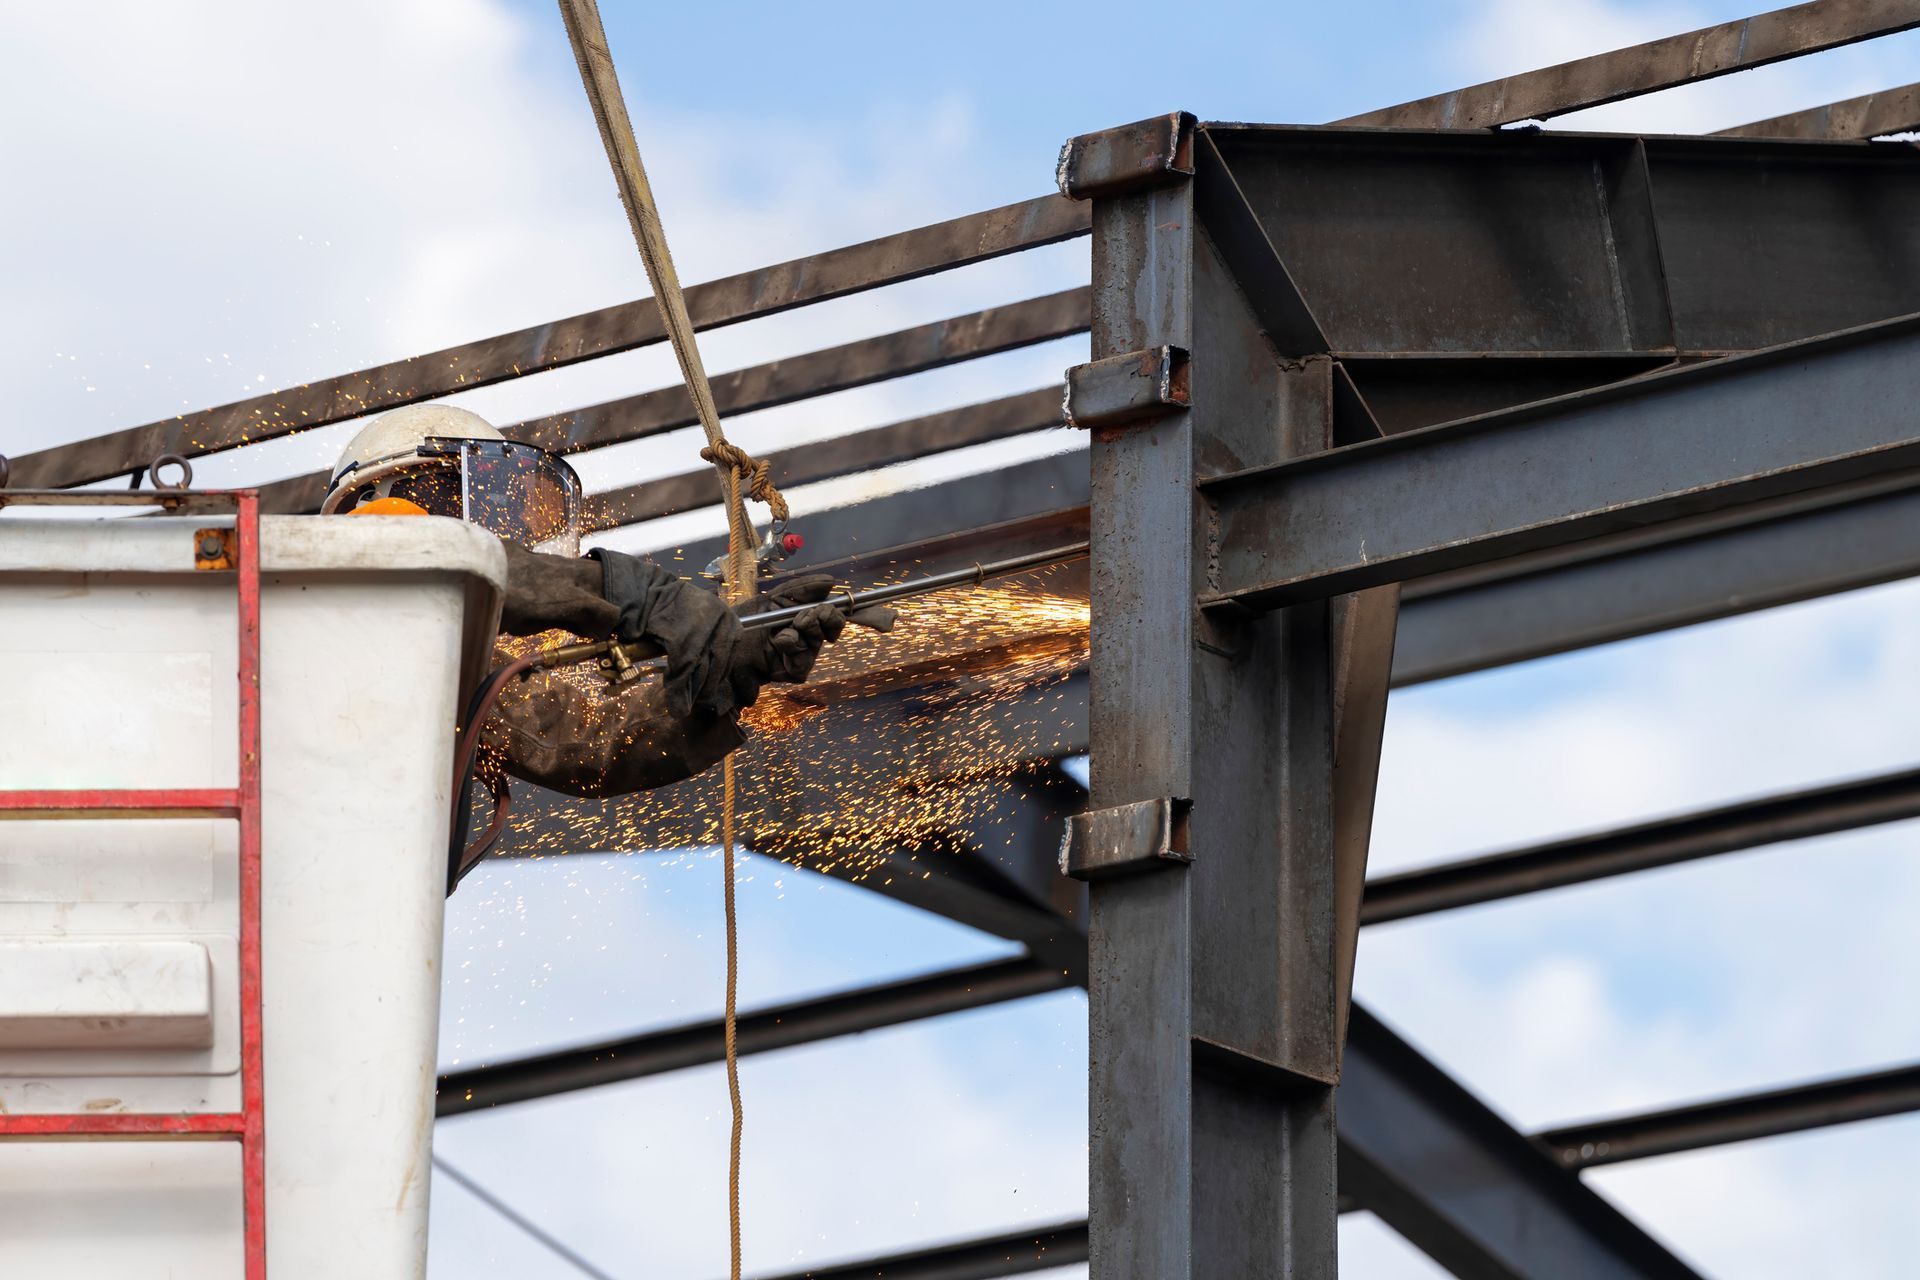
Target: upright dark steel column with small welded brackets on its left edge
(1211, 840)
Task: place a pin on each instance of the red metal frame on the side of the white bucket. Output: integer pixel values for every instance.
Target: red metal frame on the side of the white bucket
(241, 803)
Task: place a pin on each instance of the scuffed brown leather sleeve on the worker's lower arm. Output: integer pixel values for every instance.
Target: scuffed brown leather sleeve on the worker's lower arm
(596, 740)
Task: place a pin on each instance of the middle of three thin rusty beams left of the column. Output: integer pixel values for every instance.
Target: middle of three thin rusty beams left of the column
(775, 383)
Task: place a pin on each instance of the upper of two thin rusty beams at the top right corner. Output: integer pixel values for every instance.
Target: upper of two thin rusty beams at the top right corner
(1648, 68)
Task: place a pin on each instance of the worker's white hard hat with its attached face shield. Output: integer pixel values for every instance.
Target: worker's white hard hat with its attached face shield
(450, 462)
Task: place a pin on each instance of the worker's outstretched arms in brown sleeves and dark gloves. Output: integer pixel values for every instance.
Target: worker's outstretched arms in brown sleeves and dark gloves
(577, 734)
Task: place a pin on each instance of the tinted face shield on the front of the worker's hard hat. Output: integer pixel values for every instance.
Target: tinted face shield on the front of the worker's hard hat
(504, 486)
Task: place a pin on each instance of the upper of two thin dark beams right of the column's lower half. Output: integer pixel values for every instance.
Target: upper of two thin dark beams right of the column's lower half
(1731, 828)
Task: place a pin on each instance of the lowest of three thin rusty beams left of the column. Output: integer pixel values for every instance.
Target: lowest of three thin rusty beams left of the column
(840, 456)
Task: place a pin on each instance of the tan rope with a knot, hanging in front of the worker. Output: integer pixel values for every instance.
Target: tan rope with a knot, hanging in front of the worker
(738, 469)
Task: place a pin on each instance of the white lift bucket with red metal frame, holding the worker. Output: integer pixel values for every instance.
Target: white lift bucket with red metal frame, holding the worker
(122, 939)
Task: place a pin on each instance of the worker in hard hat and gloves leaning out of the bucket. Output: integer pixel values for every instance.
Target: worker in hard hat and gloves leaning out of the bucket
(556, 732)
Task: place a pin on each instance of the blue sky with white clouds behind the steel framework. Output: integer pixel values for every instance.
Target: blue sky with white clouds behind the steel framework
(229, 199)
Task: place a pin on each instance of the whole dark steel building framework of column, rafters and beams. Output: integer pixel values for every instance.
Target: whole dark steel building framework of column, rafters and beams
(1310, 350)
